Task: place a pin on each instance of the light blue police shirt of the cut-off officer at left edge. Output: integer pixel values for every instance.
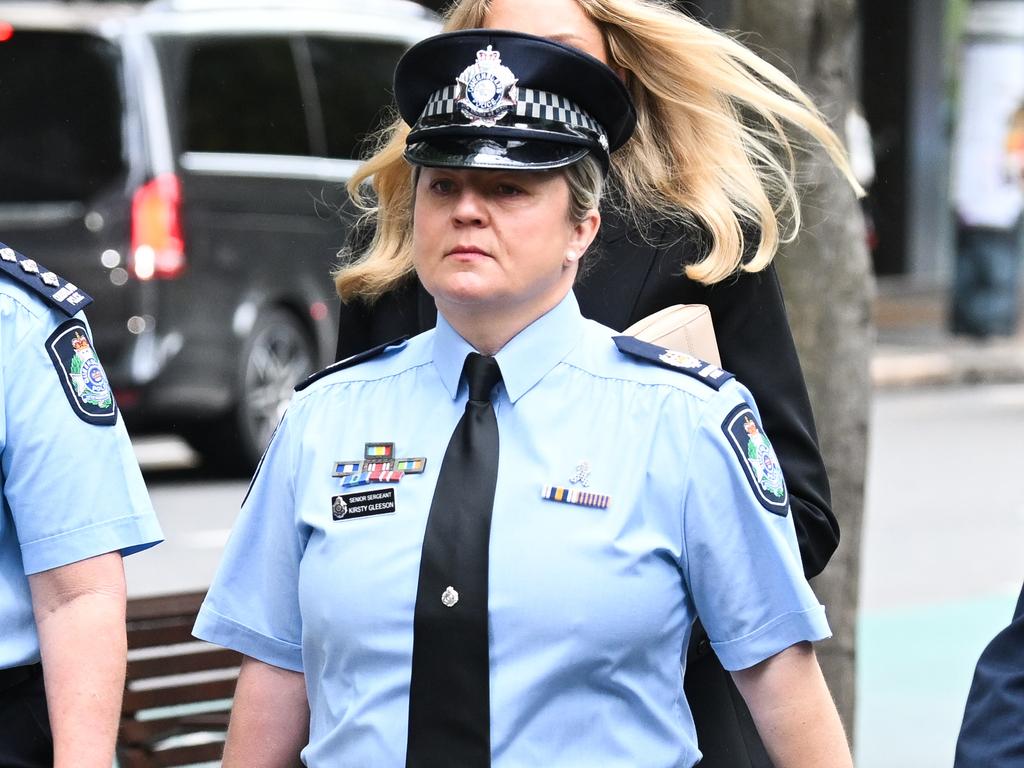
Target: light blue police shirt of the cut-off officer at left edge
(72, 490)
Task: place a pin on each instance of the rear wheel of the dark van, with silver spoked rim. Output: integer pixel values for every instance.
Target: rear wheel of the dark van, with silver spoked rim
(277, 356)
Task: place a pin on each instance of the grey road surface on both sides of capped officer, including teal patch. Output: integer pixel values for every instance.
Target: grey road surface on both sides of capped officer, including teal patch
(943, 562)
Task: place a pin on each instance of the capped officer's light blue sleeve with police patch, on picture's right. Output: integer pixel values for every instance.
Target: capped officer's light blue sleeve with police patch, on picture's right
(742, 561)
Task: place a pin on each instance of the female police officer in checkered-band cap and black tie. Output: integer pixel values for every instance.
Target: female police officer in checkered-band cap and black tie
(505, 573)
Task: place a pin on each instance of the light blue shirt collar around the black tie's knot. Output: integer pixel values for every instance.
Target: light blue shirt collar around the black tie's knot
(528, 357)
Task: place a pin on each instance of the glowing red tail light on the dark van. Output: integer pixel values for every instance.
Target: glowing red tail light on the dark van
(157, 247)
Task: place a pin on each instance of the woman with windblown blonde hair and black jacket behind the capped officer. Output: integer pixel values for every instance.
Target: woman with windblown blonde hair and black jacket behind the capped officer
(701, 199)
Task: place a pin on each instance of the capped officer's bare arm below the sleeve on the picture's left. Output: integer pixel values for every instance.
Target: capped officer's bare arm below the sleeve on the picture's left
(270, 718)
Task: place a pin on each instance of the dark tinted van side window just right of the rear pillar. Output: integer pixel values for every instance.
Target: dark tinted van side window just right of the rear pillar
(243, 97)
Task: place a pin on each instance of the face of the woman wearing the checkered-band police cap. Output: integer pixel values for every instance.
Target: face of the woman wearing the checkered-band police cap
(497, 242)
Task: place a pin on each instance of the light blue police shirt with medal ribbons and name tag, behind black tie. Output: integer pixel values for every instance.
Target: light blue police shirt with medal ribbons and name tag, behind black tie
(590, 609)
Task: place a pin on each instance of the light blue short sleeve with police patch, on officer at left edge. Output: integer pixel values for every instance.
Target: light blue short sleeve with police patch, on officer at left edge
(71, 480)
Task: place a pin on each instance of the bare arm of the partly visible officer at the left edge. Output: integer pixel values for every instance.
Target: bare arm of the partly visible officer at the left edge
(80, 617)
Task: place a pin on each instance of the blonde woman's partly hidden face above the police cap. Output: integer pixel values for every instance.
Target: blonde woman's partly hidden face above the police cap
(564, 21)
